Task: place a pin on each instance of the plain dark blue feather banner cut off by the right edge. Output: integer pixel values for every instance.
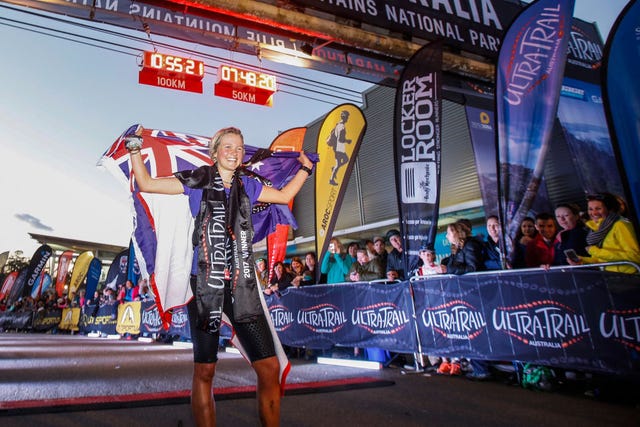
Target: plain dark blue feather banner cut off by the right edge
(622, 101)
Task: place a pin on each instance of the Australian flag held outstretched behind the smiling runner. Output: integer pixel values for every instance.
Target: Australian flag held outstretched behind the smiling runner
(163, 224)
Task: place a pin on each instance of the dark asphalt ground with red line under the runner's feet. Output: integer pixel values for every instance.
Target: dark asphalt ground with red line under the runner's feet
(62, 380)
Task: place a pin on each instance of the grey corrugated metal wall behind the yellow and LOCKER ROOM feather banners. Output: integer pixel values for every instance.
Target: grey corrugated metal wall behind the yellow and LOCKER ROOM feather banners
(371, 193)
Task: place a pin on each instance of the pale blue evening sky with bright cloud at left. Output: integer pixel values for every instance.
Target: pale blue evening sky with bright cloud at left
(63, 103)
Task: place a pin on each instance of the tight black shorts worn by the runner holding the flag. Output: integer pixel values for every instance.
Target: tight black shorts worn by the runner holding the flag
(254, 336)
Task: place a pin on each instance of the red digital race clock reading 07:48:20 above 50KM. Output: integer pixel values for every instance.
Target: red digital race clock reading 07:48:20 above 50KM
(245, 85)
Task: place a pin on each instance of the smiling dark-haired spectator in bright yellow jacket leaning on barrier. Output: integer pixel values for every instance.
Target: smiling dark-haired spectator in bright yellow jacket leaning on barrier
(611, 237)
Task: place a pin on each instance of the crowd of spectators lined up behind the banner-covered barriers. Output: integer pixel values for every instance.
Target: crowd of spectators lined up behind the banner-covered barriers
(566, 237)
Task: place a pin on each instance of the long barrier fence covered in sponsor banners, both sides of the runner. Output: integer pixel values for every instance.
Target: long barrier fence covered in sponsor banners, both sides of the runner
(574, 318)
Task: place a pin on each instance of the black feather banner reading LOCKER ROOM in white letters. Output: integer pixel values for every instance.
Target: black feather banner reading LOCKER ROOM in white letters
(417, 137)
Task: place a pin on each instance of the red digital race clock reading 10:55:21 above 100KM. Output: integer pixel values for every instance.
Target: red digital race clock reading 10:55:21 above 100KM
(172, 72)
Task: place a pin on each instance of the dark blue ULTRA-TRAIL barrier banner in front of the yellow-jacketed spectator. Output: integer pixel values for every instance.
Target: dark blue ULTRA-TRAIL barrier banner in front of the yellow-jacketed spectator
(579, 320)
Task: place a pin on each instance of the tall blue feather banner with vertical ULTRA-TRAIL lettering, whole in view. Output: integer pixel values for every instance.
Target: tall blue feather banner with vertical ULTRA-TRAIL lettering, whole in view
(528, 79)
